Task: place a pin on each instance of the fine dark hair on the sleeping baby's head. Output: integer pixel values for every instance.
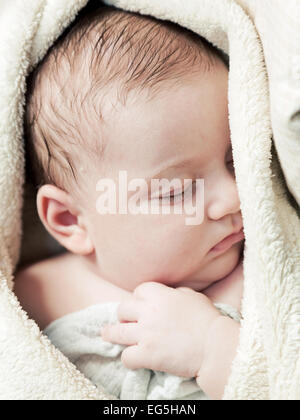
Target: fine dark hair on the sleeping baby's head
(104, 47)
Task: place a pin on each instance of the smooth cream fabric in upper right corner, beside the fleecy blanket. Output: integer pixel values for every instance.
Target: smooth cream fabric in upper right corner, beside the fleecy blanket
(277, 22)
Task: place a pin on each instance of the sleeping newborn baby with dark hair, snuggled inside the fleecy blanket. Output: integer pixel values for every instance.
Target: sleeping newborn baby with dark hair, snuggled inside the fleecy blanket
(120, 91)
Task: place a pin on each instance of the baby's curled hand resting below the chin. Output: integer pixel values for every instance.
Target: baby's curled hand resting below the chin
(166, 329)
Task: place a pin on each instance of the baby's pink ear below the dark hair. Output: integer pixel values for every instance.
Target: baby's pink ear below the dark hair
(63, 220)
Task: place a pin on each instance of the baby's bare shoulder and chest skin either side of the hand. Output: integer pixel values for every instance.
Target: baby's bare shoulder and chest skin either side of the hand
(45, 295)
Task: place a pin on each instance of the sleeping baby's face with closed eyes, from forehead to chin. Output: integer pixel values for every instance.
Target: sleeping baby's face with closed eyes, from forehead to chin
(186, 127)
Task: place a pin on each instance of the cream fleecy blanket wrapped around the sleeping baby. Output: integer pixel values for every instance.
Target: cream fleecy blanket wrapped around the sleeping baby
(267, 365)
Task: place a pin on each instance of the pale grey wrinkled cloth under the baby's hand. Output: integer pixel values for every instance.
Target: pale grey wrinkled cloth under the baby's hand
(77, 335)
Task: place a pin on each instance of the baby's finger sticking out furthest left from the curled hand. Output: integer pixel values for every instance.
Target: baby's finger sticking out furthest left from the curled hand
(125, 334)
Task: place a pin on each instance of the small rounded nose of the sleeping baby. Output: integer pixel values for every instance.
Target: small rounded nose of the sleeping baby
(224, 199)
